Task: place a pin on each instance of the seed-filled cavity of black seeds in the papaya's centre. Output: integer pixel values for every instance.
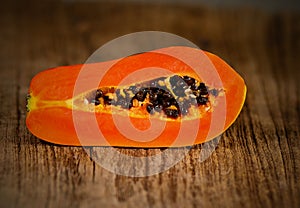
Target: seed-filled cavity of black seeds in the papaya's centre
(173, 96)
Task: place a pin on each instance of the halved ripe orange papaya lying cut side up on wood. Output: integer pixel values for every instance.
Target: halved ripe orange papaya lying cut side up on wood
(169, 97)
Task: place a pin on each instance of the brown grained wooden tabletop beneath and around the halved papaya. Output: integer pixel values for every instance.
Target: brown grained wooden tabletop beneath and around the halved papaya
(256, 163)
